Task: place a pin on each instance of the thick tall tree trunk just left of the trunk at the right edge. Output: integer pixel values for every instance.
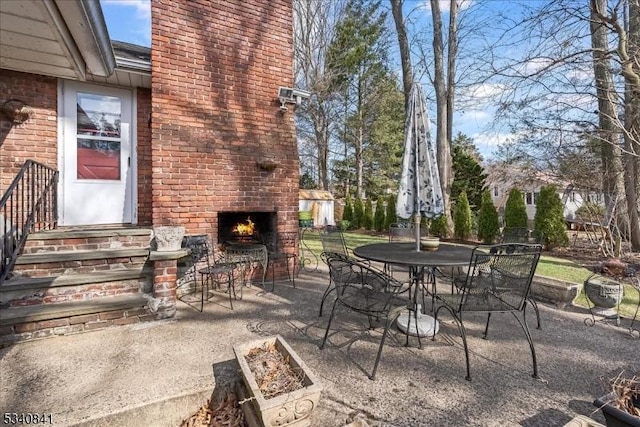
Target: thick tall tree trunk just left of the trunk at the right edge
(612, 178)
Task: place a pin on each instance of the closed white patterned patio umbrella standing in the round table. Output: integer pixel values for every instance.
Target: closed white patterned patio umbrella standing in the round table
(420, 193)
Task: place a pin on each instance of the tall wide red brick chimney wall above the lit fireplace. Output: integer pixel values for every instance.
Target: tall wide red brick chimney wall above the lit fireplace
(217, 66)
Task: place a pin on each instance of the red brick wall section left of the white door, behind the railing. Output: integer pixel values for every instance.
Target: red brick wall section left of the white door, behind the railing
(36, 138)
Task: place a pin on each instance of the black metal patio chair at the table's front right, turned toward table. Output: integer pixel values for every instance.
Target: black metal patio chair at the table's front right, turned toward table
(498, 280)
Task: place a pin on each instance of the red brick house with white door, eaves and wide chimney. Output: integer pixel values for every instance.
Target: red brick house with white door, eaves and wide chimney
(172, 135)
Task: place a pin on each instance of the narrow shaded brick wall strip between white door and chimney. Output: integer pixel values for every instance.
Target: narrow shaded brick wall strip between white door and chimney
(144, 157)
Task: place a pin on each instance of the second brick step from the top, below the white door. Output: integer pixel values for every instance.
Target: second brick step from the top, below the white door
(86, 261)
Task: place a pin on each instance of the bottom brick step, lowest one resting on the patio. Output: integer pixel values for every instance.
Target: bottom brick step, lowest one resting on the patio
(24, 323)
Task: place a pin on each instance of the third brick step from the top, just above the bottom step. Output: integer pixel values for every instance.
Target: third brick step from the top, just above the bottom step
(22, 291)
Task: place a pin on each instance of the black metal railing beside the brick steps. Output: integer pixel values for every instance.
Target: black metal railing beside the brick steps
(29, 204)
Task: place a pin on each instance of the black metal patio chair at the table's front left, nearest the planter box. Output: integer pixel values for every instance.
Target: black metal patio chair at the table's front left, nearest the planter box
(368, 291)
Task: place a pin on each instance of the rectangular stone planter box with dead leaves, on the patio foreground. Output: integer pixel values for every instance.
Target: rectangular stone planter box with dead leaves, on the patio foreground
(289, 409)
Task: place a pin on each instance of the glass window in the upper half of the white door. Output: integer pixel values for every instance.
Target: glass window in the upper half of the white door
(98, 136)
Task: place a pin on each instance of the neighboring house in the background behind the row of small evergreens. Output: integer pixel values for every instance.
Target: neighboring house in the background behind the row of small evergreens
(501, 179)
